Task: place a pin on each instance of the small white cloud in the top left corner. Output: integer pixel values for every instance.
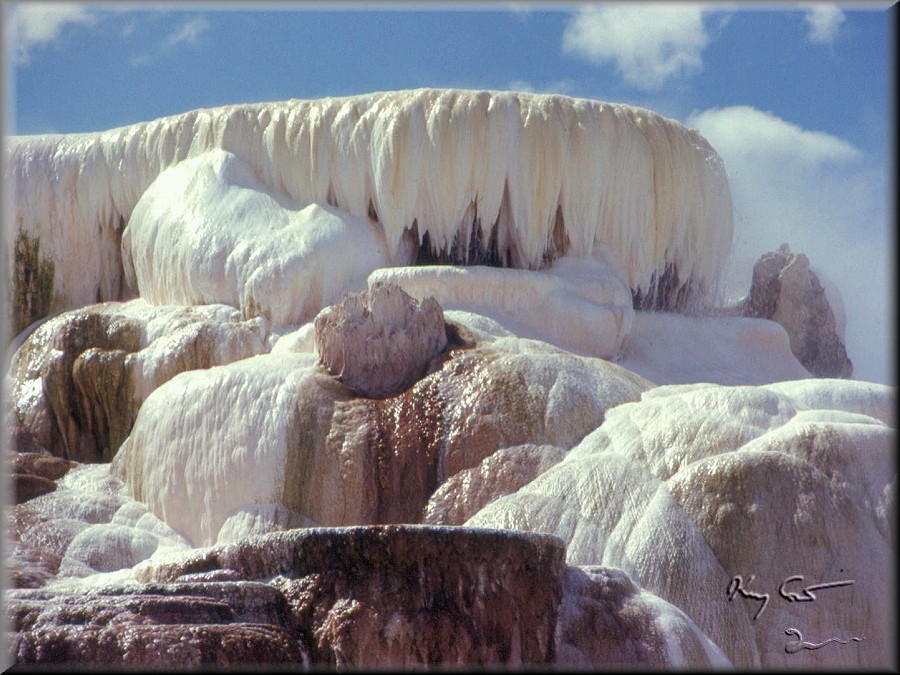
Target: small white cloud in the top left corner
(39, 24)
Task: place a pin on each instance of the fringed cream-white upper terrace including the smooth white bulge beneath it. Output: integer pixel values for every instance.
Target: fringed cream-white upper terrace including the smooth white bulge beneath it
(351, 183)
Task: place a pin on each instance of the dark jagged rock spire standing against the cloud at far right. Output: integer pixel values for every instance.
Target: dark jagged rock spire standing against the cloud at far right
(786, 290)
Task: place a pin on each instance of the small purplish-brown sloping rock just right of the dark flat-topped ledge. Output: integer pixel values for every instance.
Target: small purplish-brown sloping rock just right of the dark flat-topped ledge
(606, 621)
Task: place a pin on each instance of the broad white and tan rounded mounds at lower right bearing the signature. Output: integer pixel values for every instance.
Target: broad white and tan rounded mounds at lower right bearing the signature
(697, 484)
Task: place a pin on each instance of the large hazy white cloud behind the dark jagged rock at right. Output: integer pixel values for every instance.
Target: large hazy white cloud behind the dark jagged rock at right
(825, 198)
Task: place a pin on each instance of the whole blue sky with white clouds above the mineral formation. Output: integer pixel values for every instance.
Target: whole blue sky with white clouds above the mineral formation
(798, 99)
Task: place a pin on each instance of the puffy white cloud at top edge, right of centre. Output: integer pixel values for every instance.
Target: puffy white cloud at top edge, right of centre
(648, 44)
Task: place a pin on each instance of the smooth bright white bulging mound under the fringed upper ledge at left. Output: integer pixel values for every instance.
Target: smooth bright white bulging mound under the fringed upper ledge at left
(264, 252)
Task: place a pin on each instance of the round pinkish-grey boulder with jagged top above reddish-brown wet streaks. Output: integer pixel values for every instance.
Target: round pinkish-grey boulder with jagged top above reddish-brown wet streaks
(380, 341)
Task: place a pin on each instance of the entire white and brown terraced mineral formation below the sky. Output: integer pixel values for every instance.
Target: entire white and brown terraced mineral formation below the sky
(431, 377)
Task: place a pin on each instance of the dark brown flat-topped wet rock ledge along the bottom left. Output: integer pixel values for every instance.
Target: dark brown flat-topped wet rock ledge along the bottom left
(344, 597)
